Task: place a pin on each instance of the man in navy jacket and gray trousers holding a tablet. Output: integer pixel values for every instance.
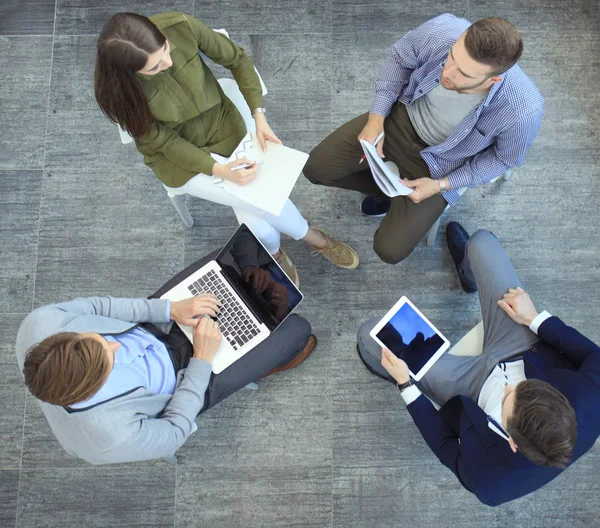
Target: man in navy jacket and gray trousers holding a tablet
(513, 418)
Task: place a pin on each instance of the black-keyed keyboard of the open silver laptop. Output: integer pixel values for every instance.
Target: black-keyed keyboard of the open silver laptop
(235, 324)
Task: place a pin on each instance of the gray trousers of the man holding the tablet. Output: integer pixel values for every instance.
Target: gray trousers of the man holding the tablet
(487, 263)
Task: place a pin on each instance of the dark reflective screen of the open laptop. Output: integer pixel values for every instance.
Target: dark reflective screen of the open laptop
(258, 278)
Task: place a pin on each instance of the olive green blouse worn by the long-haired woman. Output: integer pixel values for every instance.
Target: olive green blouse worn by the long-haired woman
(193, 116)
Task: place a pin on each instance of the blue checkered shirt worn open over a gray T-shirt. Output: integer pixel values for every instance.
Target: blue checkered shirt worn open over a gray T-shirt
(493, 138)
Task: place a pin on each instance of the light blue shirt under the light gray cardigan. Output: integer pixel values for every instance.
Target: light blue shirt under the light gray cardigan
(141, 361)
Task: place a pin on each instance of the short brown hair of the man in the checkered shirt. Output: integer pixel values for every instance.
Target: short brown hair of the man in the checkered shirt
(495, 42)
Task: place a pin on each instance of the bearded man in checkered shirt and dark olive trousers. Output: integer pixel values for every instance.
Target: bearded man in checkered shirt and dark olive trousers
(457, 112)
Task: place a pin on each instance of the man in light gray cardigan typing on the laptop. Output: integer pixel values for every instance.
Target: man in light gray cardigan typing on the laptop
(119, 382)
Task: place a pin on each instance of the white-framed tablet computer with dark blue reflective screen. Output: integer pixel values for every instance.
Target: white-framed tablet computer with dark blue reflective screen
(411, 337)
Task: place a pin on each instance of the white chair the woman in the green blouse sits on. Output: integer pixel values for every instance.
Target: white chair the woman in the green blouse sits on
(232, 91)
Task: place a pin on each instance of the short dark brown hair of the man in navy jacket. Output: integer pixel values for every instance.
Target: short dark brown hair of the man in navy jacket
(543, 424)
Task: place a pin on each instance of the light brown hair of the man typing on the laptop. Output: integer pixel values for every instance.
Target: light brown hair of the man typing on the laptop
(66, 368)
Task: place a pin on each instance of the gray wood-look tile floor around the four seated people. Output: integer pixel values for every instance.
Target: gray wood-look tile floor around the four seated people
(326, 444)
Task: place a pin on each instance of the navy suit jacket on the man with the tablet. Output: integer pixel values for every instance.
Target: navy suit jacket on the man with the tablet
(482, 460)
